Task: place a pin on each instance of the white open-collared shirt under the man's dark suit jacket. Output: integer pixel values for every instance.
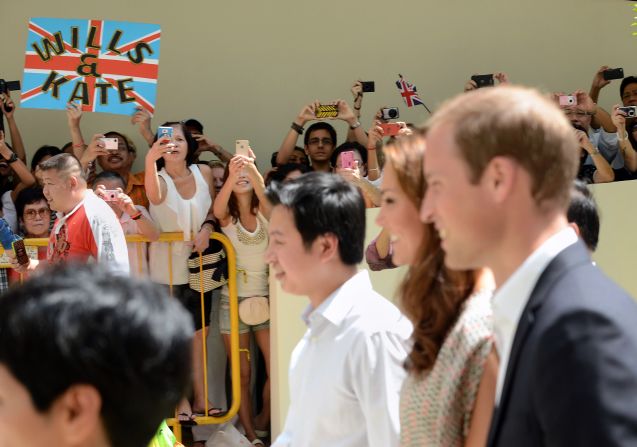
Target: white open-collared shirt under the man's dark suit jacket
(510, 300)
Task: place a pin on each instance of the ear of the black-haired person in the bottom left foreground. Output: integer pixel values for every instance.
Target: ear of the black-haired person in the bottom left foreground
(77, 413)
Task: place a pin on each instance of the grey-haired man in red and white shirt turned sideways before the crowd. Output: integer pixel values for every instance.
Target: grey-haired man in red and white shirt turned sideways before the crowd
(86, 228)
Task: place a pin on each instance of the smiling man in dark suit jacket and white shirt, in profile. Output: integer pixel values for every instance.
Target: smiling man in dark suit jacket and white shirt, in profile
(499, 167)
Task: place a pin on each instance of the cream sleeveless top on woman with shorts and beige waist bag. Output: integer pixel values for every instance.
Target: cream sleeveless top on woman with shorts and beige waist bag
(252, 270)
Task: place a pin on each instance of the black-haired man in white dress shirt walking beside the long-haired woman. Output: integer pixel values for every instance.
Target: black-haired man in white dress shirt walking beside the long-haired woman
(347, 371)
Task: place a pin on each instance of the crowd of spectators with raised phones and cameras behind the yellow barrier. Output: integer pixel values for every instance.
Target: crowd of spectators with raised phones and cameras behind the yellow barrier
(179, 192)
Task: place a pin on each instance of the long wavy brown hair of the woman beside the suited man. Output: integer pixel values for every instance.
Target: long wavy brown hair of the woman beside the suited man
(431, 295)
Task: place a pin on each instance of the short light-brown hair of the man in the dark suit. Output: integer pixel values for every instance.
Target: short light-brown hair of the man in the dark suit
(518, 123)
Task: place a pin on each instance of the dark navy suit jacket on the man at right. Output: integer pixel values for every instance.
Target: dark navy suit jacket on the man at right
(571, 379)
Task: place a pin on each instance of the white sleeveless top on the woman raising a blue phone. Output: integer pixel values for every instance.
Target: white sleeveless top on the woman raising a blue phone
(177, 214)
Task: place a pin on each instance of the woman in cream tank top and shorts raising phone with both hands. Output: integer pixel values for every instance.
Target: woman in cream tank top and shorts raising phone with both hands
(243, 212)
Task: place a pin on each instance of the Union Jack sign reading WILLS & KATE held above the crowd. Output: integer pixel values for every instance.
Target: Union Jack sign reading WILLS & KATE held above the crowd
(106, 66)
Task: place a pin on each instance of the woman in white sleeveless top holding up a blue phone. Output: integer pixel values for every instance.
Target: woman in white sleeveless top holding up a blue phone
(180, 196)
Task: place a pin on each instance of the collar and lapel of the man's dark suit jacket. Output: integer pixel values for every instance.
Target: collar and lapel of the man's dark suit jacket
(572, 255)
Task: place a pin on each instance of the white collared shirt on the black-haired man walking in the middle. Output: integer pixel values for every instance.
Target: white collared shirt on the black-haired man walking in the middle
(347, 371)
